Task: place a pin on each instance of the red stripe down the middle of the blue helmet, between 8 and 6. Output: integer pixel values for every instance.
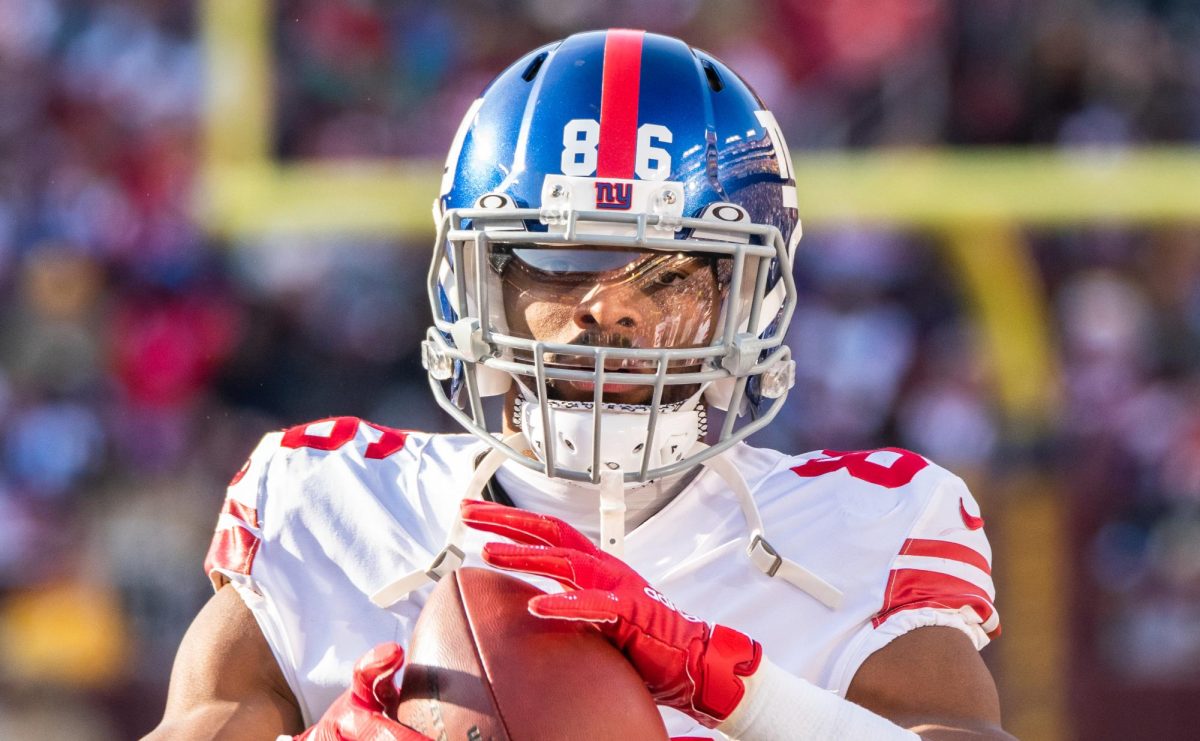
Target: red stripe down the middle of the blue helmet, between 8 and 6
(619, 104)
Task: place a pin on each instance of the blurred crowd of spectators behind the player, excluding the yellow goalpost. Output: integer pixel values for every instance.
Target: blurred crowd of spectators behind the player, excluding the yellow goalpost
(141, 359)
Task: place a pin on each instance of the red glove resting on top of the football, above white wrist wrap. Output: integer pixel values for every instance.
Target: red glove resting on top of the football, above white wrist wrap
(687, 664)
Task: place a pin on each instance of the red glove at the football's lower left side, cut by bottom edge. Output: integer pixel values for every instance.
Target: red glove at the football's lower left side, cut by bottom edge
(365, 712)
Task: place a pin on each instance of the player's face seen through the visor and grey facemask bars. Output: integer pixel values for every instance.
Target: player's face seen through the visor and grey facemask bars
(615, 298)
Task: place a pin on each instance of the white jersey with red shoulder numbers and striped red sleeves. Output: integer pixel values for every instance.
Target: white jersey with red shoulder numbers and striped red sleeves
(325, 515)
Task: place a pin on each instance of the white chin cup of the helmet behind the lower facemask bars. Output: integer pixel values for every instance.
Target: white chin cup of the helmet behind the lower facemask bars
(622, 436)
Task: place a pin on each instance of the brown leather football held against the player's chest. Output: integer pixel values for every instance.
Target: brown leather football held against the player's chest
(481, 667)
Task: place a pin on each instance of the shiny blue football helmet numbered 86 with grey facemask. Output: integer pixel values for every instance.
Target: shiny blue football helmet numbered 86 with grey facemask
(616, 230)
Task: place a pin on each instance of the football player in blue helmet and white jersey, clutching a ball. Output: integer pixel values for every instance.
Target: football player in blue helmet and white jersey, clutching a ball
(616, 231)
